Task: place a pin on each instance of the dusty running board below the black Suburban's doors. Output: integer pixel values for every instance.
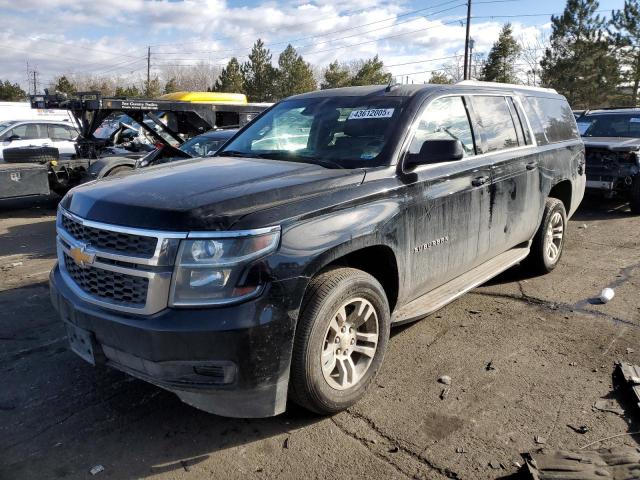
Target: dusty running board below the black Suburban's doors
(447, 293)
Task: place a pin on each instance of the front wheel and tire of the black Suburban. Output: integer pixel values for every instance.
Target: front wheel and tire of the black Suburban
(318, 344)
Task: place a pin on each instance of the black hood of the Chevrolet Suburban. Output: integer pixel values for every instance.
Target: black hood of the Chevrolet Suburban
(202, 194)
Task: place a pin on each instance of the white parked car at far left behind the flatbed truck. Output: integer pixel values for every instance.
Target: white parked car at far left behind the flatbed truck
(27, 133)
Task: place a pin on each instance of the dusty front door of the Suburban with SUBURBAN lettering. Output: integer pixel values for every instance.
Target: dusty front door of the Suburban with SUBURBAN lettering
(448, 202)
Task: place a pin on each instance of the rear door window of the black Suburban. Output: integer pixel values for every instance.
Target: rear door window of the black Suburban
(495, 123)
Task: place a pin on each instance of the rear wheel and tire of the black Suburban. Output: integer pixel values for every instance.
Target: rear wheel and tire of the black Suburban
(543, 258)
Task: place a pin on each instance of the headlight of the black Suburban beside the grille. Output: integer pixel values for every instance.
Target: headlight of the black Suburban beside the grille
(208, 270)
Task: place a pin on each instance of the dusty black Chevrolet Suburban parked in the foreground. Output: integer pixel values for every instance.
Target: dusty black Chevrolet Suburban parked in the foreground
(275, 269)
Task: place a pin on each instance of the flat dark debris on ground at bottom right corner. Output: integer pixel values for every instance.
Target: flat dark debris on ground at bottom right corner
(614, 464)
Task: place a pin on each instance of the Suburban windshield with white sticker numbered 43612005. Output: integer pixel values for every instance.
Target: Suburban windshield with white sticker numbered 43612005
(336, 132)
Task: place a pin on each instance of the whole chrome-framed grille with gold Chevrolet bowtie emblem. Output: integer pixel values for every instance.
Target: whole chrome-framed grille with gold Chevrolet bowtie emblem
(120, 268)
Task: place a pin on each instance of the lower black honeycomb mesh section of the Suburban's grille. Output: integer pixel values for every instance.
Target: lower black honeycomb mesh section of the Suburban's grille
(108, 285)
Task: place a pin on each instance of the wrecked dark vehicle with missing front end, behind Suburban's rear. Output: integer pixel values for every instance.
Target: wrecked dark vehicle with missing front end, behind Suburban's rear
(612, 142)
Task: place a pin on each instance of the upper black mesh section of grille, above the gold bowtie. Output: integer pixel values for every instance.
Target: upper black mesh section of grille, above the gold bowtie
(108, 240)
